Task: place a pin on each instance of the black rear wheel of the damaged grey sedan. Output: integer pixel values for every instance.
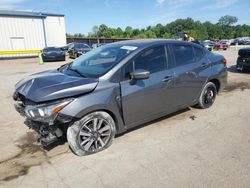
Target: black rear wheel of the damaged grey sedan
(208, 95)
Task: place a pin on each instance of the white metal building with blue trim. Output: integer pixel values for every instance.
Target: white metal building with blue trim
(21, 30)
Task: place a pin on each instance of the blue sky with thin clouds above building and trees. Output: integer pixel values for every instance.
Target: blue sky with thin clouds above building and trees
(82, 15)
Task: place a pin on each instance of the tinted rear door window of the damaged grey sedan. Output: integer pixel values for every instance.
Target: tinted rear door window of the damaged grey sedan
(183, 54)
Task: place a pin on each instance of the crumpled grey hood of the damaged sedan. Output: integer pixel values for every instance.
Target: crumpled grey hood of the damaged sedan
(52, 85)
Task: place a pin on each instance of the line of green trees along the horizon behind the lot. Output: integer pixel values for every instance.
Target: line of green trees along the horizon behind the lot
(225, 28)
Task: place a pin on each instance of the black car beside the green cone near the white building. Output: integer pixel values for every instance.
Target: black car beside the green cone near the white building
(53, 54)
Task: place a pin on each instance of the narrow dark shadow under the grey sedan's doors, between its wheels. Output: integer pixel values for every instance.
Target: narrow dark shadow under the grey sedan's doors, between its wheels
(156, 120)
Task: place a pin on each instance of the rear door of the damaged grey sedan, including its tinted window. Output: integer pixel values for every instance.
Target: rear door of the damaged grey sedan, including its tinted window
(192, 69)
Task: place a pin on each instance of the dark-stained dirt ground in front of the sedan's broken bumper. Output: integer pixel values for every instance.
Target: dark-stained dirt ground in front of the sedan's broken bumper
(31, 154)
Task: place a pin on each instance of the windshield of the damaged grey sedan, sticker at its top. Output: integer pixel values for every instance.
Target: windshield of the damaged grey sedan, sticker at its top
(100, 60)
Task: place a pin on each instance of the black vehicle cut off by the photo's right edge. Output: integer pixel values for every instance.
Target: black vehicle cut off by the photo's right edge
(243, 61)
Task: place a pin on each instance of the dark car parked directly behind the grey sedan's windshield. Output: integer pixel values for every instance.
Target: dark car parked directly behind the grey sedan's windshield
(77, 49)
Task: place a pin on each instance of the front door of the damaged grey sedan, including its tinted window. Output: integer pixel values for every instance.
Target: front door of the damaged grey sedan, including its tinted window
(147, 98)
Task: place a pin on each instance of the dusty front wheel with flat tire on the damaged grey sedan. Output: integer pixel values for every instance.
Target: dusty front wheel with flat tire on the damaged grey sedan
(91, 134)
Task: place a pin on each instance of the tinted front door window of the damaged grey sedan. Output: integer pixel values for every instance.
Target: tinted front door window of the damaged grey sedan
(152, 60)
